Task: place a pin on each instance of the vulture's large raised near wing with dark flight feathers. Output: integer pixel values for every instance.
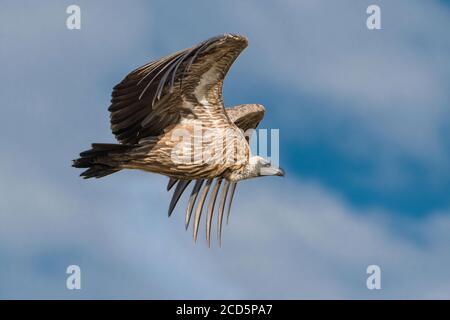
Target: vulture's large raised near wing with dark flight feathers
(160, 93)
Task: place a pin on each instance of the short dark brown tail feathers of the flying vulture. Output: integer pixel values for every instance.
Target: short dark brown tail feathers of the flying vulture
(101, 160)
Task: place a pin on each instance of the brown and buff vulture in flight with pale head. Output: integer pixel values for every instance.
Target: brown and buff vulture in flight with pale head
(180, 95)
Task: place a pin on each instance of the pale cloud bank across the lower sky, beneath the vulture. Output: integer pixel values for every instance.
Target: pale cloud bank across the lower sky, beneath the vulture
(304, 243)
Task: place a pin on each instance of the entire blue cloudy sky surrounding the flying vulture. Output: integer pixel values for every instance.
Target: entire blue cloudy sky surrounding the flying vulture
(363, 118)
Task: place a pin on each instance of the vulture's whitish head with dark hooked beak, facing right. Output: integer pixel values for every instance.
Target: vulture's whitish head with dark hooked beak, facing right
(256, 167)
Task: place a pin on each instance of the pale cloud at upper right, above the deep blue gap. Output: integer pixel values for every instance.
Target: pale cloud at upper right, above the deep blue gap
(383, 90)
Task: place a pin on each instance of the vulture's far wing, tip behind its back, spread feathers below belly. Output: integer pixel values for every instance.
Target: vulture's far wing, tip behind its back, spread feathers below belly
(245, 117)
